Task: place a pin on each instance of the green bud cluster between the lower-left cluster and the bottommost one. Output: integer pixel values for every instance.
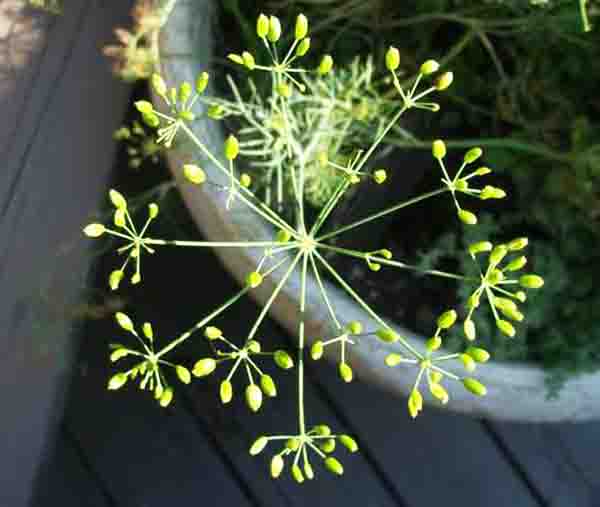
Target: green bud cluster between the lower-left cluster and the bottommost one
(245, 357)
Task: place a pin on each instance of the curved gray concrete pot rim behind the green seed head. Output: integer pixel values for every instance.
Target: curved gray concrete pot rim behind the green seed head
(516, 391)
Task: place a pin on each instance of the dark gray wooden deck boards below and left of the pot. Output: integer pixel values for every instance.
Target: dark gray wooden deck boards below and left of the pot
(120, 449)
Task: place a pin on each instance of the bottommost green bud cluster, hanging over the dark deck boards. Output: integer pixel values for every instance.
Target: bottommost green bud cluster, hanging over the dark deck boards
(318, 440)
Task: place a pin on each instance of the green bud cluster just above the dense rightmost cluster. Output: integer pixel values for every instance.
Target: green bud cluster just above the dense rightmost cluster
(460, 183)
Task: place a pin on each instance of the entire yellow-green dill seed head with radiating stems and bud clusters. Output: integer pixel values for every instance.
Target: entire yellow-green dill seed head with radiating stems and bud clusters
(298, 245)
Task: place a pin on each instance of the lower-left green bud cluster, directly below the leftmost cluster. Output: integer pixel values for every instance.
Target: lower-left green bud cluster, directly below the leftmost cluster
(148, 365)
